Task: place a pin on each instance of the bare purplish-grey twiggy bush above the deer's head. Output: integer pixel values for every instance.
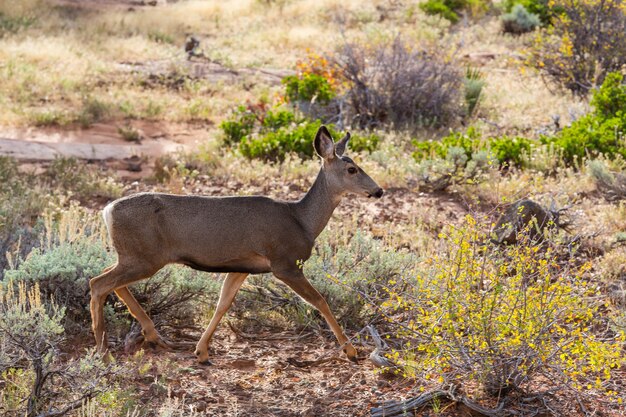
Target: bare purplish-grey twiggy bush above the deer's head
(395, 84)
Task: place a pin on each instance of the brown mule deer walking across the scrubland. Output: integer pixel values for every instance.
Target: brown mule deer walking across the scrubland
(237, 235)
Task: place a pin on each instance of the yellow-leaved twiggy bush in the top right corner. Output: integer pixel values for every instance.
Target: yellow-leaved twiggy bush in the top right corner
(586, 42)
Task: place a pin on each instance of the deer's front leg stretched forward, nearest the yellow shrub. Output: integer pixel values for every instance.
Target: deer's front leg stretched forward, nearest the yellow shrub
(296, 280)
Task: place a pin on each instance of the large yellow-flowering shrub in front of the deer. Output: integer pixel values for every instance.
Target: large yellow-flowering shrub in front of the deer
(510, 320)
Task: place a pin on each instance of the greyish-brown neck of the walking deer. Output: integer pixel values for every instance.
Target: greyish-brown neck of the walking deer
(317, 206)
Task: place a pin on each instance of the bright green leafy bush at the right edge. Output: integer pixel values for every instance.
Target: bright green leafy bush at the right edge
(600, 132)
